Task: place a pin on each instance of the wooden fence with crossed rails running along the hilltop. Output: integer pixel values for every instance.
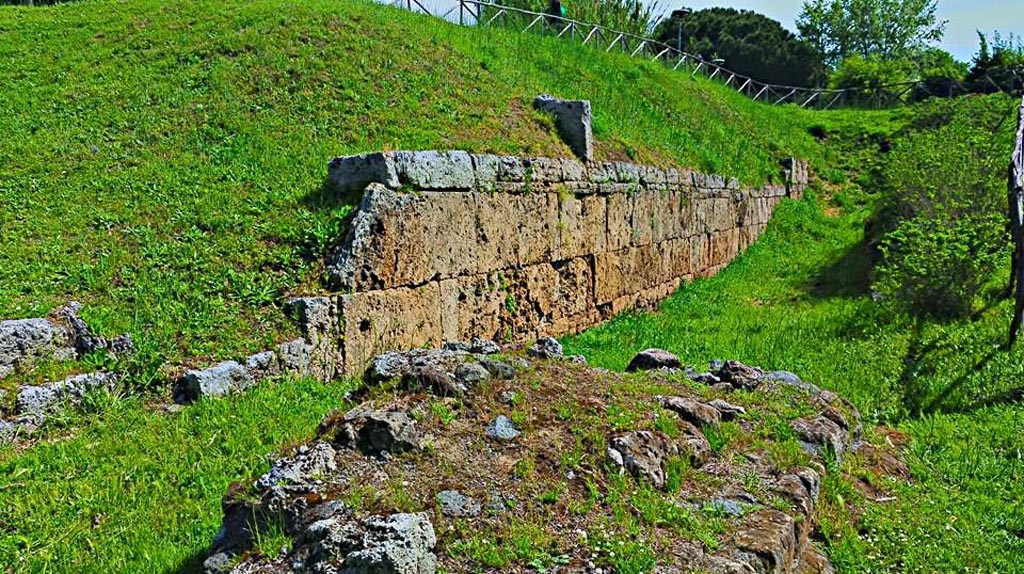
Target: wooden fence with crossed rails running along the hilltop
(485, 14)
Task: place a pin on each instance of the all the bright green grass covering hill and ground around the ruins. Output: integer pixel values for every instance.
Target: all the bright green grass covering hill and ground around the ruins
(163, 162)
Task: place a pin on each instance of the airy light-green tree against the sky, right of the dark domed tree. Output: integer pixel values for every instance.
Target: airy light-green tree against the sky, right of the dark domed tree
(885, 30)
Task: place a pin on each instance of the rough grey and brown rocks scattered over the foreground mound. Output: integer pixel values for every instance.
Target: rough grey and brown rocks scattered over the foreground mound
(329, 537)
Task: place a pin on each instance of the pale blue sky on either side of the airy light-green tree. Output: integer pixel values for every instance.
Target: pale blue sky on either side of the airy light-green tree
(964, 18)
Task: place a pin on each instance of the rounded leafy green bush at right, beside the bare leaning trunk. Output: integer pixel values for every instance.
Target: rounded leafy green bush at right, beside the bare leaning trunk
(947, 207)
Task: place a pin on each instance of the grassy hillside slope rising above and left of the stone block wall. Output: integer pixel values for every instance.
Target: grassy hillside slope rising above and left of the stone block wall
(162, 161)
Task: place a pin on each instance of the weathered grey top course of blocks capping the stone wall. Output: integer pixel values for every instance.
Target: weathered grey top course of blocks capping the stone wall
(449, 171)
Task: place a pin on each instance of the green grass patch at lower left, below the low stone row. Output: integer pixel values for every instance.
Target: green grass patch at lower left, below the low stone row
(137, 491)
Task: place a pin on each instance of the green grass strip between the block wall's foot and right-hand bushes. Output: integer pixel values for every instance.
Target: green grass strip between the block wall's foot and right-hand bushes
(799, 300)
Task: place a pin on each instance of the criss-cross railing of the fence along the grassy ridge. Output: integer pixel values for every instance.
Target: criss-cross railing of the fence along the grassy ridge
(670, 56)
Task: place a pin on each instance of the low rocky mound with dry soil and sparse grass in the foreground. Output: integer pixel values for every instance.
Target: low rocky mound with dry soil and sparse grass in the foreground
(468, 460)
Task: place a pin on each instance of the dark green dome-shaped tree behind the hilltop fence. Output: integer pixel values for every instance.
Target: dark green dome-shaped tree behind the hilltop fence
(751, 45)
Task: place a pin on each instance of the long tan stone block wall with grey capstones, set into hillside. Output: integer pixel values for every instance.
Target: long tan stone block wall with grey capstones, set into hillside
(452, 246)
